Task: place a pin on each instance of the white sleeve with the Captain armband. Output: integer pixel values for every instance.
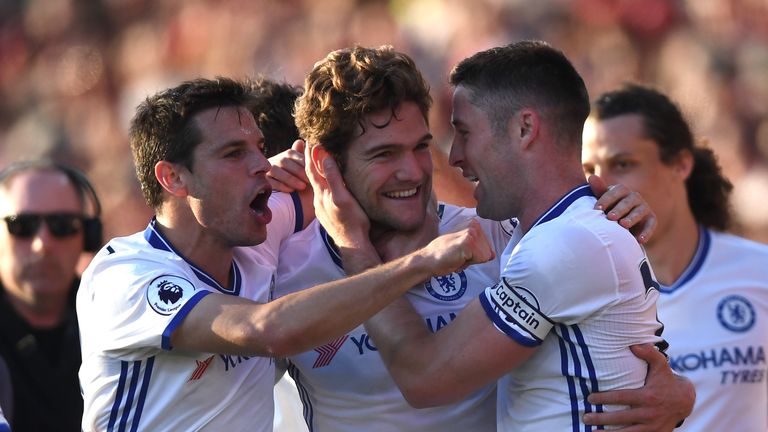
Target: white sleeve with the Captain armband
(553, 275)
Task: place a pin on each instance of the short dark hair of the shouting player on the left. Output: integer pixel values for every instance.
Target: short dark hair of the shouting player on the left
(162, 130)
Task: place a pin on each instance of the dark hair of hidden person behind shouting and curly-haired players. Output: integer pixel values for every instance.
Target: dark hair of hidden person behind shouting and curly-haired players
(272, 105)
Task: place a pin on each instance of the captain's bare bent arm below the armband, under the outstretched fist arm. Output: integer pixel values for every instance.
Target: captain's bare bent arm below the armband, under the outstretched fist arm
(440, 368)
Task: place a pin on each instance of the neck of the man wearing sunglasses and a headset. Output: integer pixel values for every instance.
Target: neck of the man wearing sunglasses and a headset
(40, 311)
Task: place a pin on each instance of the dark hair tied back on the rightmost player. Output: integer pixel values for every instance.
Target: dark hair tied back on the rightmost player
(664, 123)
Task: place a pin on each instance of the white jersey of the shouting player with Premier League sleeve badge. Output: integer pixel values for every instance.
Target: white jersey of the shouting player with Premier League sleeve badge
(135, 292)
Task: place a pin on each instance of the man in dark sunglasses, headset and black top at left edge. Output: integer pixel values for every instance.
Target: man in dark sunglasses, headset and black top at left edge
(42, 235)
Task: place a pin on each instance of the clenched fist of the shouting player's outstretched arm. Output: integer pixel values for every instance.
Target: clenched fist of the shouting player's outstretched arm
(455, 251)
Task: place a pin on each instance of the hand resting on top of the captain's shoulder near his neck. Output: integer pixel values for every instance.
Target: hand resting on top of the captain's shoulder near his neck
(625, 206)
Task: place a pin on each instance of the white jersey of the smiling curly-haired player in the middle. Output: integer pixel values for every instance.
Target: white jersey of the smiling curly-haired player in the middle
(344, 384)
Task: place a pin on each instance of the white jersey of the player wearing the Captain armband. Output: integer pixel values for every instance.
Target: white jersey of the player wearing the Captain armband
(578, 287)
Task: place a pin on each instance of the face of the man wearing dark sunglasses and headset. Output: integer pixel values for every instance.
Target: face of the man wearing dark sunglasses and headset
(41, 264)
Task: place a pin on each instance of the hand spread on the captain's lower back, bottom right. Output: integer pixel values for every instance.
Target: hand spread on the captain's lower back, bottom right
(660, 405)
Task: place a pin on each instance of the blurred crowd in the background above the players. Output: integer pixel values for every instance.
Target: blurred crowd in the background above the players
(73, 71)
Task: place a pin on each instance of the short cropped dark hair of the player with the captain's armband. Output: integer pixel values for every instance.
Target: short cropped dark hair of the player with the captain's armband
(505, 79)
